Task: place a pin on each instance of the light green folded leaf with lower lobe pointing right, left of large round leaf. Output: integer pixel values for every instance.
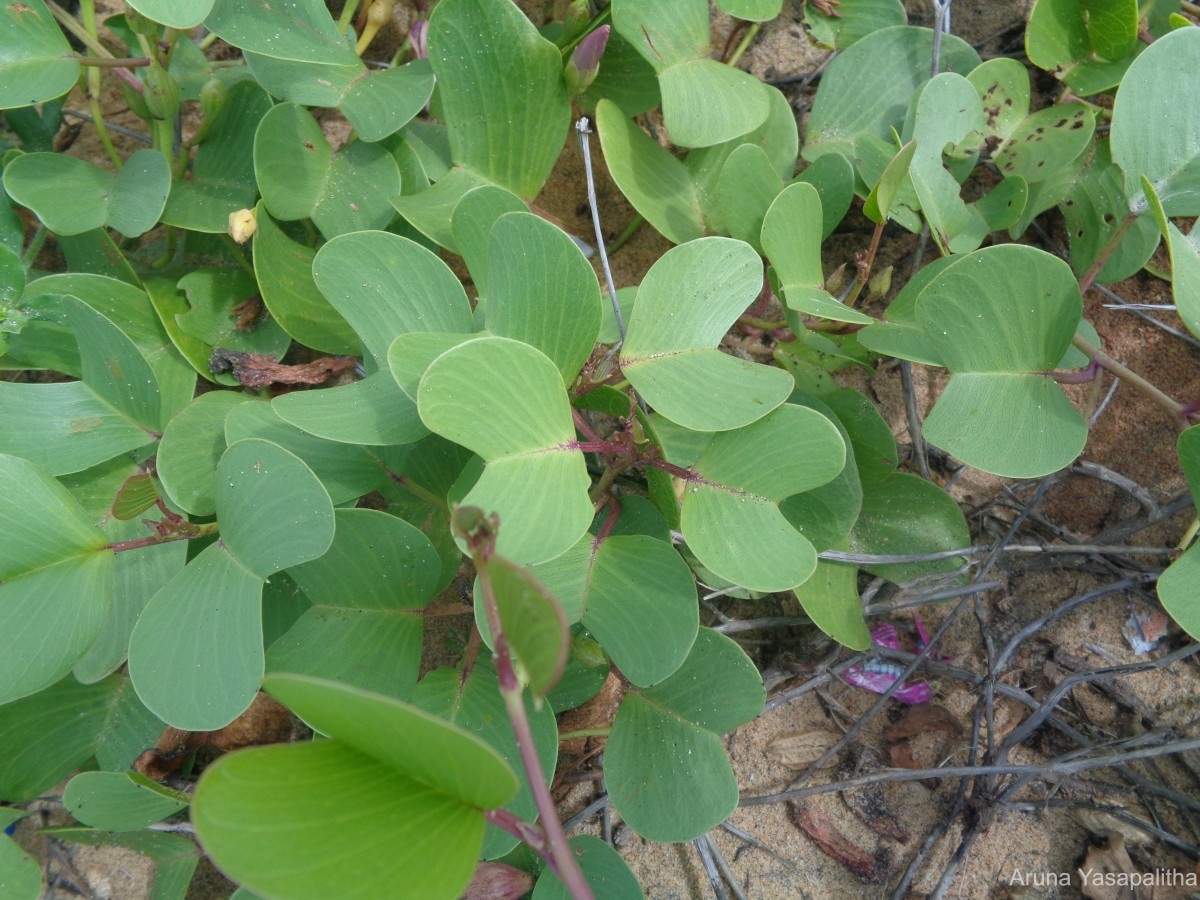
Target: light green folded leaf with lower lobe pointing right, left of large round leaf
(791, 239)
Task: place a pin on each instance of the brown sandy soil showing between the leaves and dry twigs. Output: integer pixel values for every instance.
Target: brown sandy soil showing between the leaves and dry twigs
(1131, 439)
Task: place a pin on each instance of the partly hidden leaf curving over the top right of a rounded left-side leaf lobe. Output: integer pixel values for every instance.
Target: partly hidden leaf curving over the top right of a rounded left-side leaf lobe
(346, 472)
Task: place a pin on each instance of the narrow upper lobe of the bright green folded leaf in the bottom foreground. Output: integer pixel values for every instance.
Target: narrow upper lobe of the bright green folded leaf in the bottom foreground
(403, 737)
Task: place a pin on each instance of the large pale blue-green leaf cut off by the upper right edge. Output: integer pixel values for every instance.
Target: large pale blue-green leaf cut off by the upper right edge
(1154, 134)
